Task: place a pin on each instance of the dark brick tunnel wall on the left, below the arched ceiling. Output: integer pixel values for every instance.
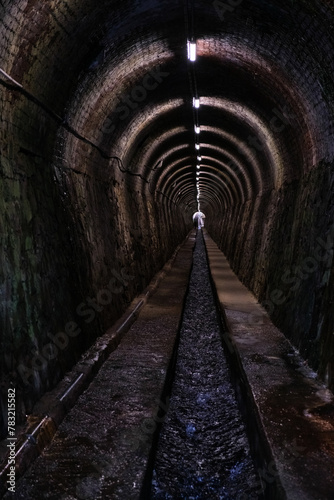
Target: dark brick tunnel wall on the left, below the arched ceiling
(73, 248)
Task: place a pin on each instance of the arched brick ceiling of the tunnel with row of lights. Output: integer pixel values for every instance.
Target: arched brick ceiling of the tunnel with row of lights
(118, 74)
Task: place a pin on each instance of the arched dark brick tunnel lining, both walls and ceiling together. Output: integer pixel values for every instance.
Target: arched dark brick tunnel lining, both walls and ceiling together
(120, 120)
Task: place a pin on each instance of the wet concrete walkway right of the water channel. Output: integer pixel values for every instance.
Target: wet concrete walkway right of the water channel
(294, 409)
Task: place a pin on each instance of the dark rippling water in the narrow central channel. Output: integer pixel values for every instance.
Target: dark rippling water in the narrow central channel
(203, 451)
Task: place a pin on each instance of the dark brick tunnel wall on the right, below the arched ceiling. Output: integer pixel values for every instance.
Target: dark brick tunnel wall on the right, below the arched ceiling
(281, 247)
